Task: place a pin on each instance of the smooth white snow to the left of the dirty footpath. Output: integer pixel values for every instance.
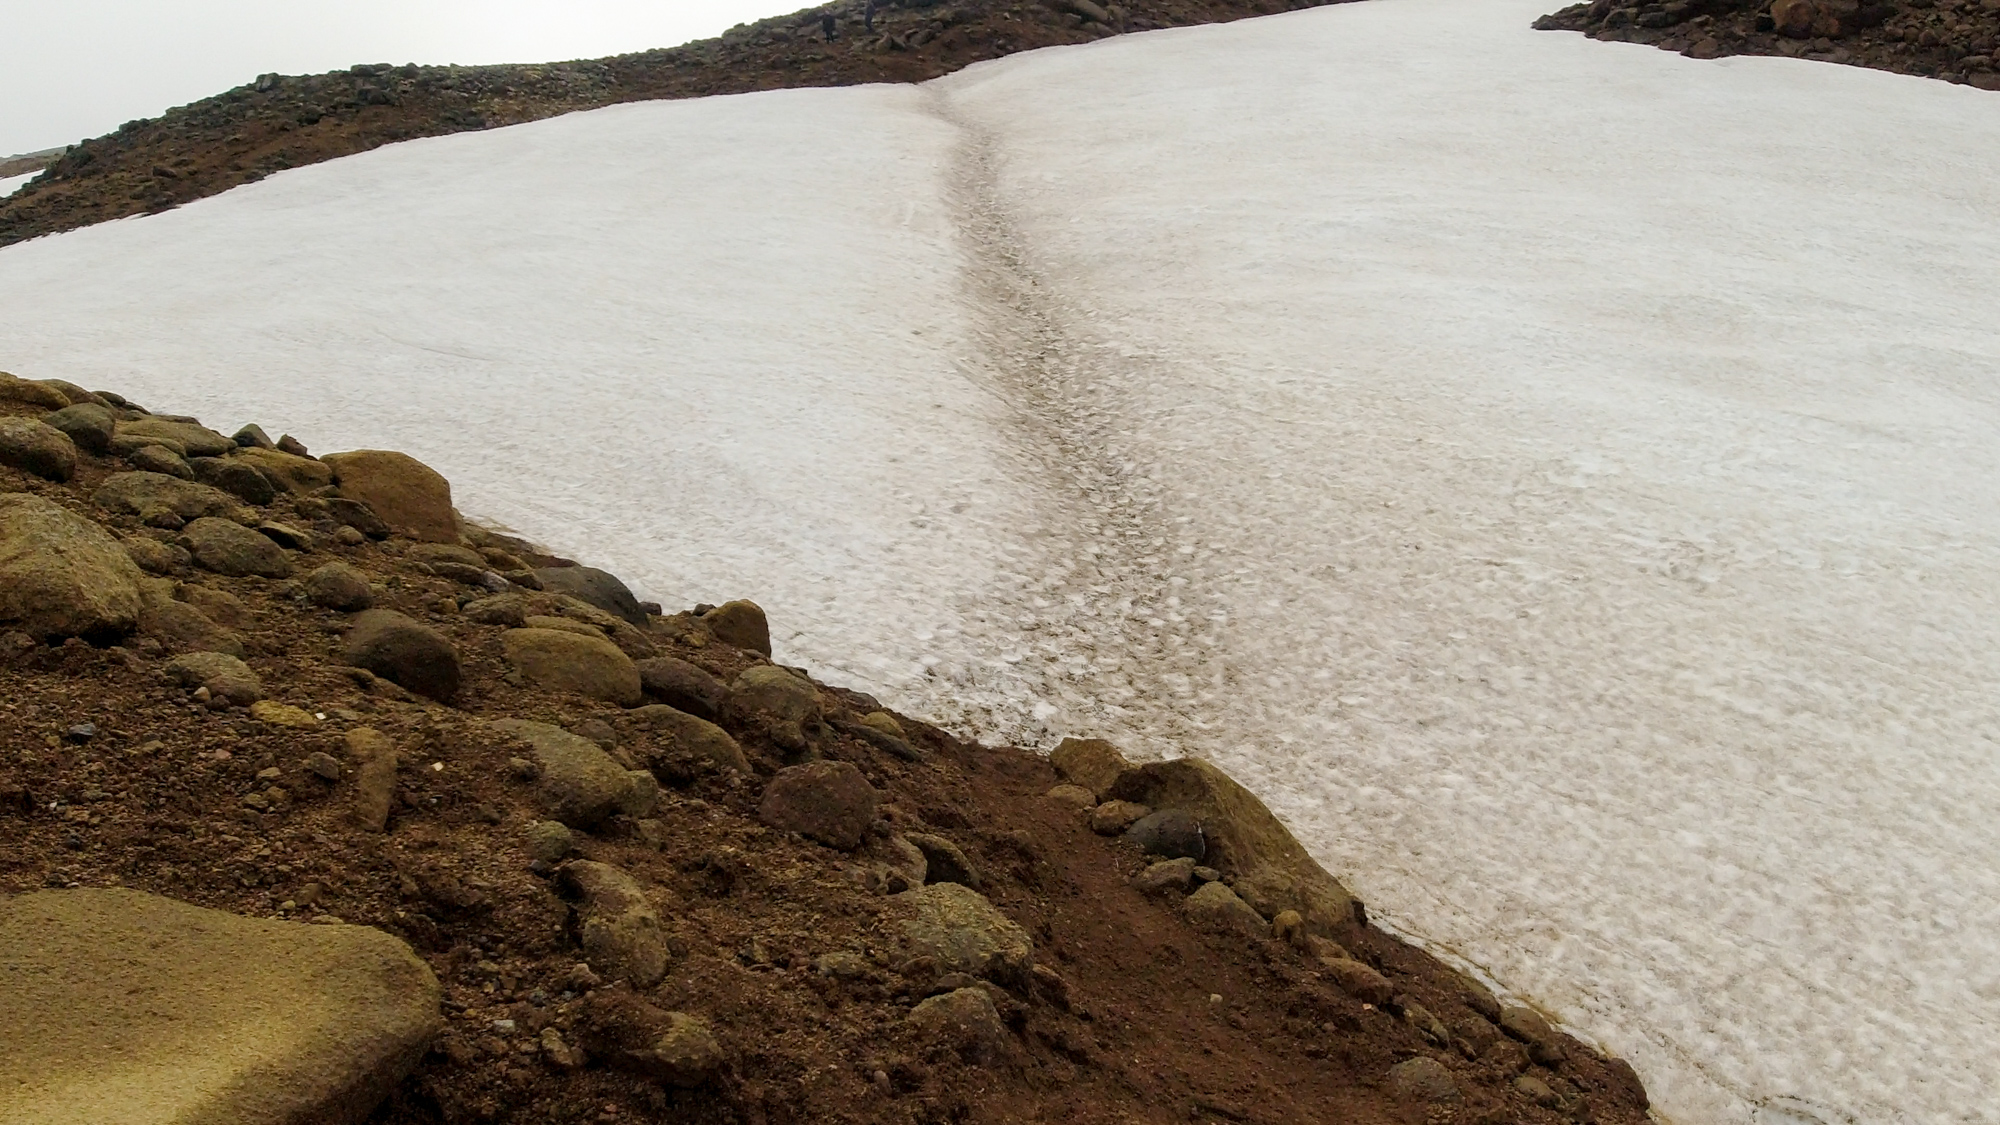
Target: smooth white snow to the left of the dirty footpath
(709, 345)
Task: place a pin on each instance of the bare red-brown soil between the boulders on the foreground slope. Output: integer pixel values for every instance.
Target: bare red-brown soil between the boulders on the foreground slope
(1153, 1020)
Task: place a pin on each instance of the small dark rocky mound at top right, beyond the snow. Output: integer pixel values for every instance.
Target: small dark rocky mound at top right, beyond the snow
(1933, 39)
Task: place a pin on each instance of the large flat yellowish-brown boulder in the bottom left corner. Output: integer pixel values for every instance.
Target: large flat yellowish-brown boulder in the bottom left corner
(121, 1008)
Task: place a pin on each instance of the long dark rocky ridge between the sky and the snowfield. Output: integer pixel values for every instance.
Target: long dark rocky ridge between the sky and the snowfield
(291, 121)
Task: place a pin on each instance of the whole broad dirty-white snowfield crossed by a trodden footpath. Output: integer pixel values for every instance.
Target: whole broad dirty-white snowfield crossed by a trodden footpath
(1561, 477)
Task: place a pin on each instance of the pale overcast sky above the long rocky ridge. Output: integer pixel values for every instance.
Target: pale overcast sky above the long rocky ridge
(79, 69)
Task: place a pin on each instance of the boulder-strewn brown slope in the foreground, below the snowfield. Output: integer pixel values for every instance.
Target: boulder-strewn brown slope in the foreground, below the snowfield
(651, 874)
